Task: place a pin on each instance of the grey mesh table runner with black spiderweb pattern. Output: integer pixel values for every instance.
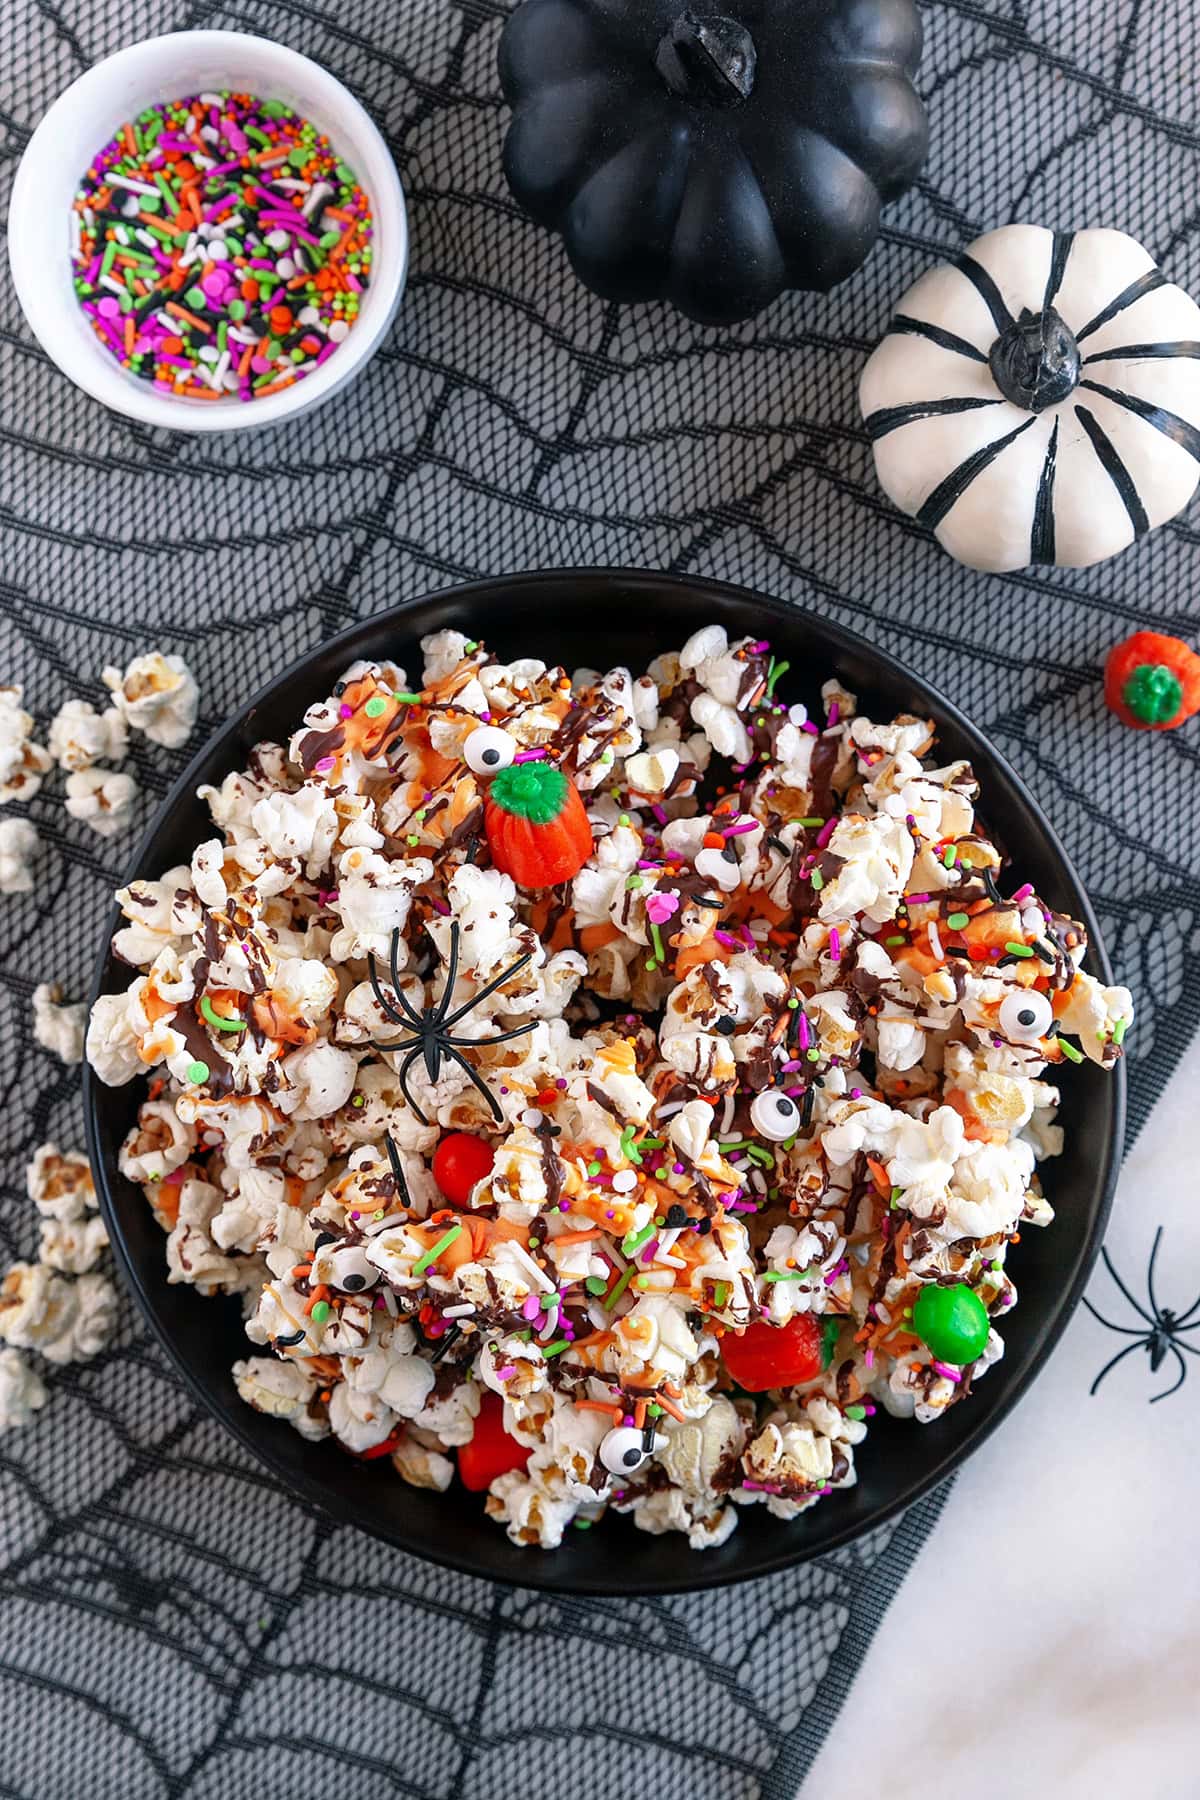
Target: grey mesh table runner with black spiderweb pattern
(174, 1624)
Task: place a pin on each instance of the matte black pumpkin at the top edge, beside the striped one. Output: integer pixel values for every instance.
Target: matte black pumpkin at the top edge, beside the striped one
(712, 157)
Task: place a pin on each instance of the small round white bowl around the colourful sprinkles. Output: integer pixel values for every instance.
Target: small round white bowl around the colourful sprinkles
(85, 118)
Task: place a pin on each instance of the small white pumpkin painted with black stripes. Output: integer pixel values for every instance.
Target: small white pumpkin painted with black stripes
(1039, 400)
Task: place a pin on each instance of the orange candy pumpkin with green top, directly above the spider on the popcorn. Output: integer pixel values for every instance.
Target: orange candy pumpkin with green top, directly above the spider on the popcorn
(537, 827)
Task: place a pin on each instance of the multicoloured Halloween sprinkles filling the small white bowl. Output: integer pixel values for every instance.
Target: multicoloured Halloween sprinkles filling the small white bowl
(220, 247)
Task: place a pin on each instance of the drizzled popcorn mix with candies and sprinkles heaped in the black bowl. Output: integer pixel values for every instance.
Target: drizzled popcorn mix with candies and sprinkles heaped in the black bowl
(609, 1086)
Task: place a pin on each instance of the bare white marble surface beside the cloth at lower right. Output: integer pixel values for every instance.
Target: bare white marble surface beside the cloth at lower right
(1048, 1637)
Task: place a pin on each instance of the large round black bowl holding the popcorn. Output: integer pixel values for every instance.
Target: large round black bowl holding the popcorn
(600, 618)
